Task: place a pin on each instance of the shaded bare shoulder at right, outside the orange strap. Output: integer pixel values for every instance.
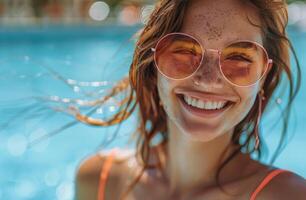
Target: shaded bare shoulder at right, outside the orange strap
(285, 186)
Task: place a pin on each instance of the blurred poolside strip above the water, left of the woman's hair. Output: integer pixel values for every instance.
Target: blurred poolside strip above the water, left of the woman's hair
(33, 12)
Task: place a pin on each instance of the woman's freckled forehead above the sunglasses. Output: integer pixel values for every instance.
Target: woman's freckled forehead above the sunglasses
(220, 22)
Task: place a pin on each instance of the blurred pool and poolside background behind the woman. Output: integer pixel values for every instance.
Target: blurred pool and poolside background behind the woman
(61, 54)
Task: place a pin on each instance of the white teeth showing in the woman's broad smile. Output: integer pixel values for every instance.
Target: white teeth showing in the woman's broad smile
(208, 105)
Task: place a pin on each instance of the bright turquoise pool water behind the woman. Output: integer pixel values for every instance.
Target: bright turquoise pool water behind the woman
(34, 60)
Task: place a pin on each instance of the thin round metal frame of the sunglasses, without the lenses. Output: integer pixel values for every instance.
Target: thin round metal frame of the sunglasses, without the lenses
(269, 61)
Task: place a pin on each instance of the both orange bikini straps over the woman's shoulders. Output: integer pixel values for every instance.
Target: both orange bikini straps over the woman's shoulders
(108, 163)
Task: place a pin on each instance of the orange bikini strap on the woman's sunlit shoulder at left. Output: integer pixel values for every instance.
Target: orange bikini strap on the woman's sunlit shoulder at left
(104, 174)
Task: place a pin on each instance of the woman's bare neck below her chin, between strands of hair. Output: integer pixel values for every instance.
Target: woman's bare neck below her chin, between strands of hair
(194, 164)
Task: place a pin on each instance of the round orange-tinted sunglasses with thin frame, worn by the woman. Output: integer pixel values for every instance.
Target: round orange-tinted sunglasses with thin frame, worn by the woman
(242, 63)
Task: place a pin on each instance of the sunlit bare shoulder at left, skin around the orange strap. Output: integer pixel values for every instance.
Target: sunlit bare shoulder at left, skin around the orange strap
(88, 174)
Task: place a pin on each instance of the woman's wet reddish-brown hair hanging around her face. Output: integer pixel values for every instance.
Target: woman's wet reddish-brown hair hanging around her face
(167, 17)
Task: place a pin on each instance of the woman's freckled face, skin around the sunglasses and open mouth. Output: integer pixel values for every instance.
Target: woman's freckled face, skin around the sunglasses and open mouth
(215, 24)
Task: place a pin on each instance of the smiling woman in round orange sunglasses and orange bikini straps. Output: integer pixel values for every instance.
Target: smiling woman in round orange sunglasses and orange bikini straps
(202, 74)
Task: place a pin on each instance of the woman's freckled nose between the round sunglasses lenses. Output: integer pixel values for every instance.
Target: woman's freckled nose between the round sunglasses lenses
(209, 72)
